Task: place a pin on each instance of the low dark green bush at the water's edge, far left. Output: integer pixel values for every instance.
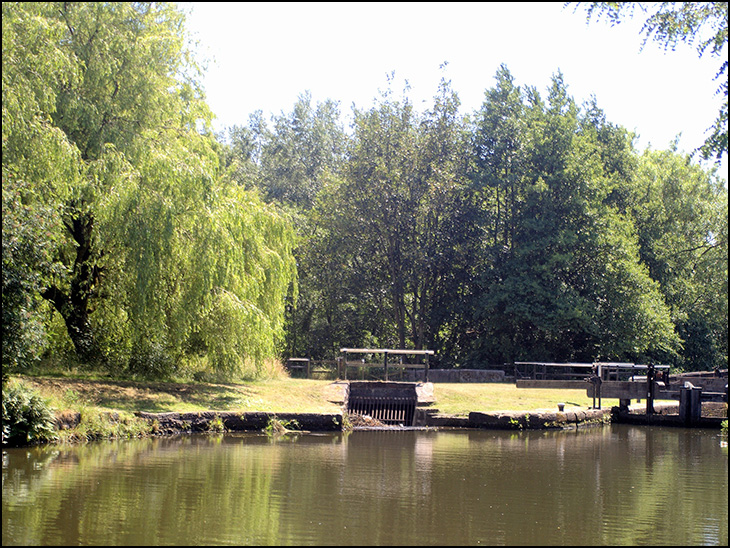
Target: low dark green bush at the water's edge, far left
(27, 418)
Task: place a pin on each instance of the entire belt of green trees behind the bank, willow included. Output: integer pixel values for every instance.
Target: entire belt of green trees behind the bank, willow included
(136, 241)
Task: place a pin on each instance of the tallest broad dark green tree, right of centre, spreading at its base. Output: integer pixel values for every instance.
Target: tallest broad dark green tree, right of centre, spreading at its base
(549, 285)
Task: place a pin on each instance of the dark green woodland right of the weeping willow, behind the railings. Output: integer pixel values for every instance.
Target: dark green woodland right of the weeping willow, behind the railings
(530, 230)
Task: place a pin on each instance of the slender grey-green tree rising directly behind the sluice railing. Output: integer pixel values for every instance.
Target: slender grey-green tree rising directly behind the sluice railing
(382, 191)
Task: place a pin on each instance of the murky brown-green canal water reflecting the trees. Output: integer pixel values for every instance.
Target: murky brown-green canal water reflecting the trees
(611, 485)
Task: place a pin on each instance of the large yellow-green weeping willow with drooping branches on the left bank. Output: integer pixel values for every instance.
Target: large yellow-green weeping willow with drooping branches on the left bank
(150, 243)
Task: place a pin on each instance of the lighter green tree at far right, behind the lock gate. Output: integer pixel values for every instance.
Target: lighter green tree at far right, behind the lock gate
(680, 212)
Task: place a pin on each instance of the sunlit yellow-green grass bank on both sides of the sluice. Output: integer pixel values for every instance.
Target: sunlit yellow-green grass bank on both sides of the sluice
(107, 407)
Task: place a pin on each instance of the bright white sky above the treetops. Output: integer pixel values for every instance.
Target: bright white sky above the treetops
(263, 56)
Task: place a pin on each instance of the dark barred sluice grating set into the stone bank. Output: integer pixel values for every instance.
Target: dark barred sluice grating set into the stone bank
(392, 403)
